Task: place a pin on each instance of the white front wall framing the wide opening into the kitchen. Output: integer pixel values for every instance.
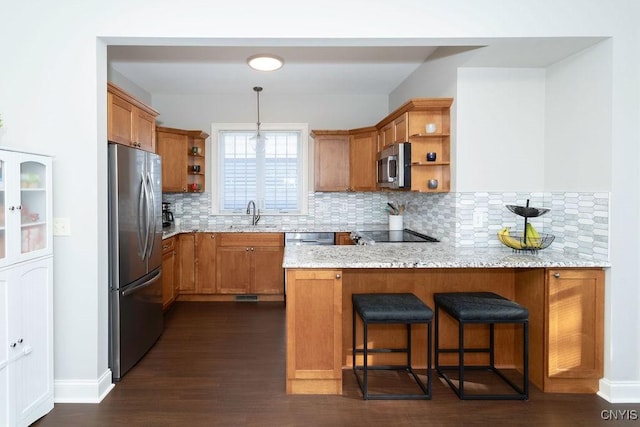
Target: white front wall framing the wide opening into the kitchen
(52, 99)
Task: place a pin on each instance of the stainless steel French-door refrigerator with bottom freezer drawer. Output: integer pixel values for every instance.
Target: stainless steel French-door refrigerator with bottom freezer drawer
(135, 256)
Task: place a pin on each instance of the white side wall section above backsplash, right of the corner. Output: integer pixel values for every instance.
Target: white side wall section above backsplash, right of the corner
(578, 122)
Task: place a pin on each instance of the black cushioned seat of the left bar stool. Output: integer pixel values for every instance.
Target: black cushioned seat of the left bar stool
(392, 308)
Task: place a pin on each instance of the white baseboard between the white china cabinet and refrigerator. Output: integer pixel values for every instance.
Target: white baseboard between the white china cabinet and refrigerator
(82, 391)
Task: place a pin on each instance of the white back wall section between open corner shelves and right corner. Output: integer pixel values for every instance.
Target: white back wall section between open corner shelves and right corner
(500, 133)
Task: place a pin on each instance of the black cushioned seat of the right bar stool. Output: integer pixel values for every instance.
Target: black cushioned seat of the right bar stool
(481, 307)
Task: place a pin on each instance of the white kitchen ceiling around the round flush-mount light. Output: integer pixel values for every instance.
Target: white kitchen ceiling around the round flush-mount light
(328, 67)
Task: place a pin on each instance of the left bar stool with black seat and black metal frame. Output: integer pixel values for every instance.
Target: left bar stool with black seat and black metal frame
(400, 308)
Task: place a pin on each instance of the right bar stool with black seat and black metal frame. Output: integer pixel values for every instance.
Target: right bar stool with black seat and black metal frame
(481, 308)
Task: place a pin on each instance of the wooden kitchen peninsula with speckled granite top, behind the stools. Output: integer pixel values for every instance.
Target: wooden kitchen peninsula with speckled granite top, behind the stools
(564, 295)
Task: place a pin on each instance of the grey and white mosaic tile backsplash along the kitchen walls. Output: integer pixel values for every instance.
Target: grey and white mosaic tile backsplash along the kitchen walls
(580, 221)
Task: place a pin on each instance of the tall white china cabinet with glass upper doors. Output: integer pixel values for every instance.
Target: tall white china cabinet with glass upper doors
(26, 288)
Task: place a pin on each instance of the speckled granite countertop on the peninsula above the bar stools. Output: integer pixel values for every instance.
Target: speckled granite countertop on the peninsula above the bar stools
(426, 255)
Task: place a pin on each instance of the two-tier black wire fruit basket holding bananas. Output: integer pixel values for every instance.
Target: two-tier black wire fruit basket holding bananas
(529, 240)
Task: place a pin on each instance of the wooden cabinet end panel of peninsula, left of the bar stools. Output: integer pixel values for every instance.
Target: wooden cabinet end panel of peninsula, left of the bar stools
(314, 332)
